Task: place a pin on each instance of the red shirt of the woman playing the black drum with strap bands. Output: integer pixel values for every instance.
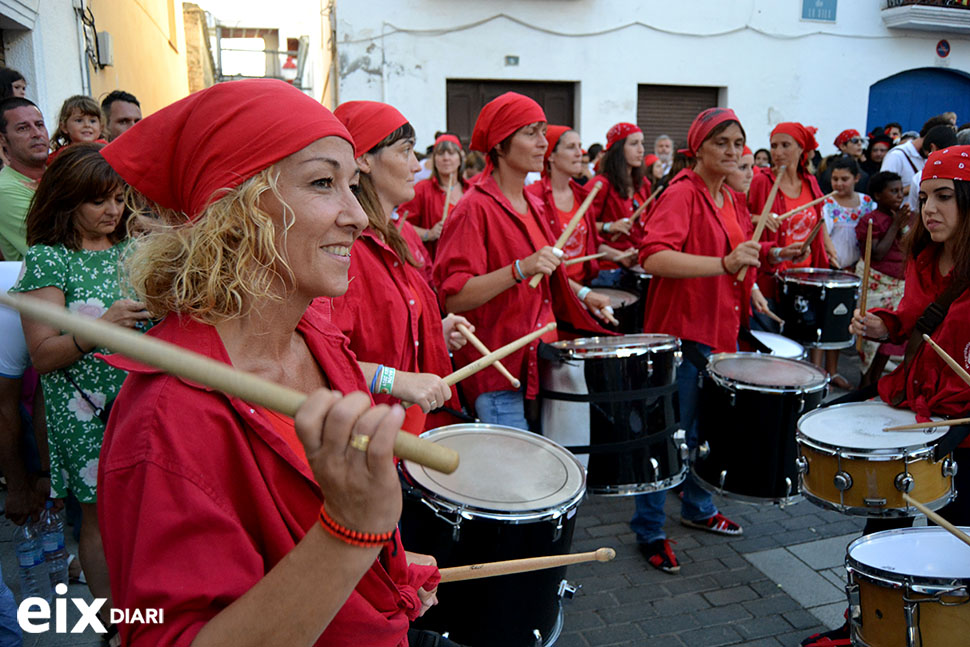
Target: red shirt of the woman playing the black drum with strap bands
(485, 234)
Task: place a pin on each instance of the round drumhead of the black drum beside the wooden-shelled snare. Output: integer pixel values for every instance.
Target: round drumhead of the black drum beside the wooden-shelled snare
(767, 371)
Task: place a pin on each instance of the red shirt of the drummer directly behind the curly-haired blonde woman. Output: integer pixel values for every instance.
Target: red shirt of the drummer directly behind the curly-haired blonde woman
(390, 316)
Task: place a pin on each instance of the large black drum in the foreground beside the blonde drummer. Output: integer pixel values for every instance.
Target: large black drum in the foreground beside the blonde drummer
(514, 495)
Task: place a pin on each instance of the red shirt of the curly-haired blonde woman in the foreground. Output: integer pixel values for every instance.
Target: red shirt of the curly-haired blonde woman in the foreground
(199, 497)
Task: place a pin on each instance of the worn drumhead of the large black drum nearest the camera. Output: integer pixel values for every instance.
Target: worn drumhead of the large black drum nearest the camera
(502, 470)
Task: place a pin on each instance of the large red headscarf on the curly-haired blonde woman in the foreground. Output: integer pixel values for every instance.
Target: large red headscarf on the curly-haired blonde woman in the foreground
(189, 154)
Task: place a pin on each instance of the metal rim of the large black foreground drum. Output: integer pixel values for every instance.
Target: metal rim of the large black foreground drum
(471, 511)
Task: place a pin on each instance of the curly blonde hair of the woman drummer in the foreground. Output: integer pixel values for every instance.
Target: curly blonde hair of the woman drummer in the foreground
(217, 266)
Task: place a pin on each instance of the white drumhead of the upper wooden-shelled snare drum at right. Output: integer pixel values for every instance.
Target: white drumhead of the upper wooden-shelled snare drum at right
(859, 425)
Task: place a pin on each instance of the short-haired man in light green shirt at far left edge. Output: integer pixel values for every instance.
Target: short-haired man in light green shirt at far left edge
(24, 137)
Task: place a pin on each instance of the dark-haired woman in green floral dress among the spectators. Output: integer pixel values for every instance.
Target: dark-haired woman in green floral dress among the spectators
(76, 230)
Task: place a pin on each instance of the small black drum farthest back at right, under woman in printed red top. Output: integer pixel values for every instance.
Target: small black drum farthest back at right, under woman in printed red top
(817, 306)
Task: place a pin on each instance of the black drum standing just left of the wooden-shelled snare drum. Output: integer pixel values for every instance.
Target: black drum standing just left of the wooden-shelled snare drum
(749, 407)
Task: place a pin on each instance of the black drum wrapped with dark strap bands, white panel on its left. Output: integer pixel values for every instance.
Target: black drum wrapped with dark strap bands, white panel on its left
(611, 400)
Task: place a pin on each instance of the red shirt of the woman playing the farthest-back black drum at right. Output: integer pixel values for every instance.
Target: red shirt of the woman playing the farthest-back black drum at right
(788, 231)
